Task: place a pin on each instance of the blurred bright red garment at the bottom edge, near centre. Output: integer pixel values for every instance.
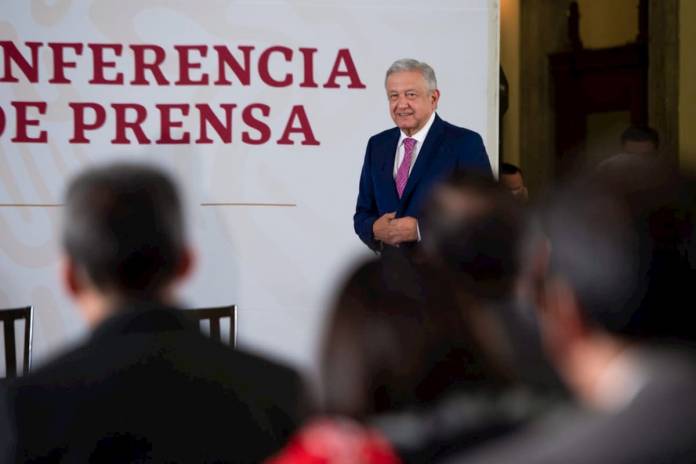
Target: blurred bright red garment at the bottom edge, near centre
(336, 441)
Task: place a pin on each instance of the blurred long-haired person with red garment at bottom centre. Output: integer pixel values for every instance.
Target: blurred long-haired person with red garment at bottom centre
(405, 374)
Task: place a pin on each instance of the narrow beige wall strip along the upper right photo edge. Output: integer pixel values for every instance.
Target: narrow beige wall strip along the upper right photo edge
(687, 84)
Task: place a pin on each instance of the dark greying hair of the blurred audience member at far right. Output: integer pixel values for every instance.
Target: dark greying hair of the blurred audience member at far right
(623, 239)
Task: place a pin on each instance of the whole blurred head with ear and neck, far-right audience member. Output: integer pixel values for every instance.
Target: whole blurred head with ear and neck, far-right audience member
(621, 264)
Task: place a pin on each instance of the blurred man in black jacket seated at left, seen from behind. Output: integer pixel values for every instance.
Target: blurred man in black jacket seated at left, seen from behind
(146, 386)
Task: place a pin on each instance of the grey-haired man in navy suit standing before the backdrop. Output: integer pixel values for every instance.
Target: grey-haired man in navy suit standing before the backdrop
(403, 163)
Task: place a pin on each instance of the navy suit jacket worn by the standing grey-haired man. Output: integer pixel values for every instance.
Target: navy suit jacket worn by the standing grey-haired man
(446, 148)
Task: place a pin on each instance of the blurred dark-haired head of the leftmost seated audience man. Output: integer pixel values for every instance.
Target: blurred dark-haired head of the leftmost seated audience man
(123, 234)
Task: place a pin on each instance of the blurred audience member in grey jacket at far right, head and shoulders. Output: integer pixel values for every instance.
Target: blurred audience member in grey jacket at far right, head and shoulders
(615, 316)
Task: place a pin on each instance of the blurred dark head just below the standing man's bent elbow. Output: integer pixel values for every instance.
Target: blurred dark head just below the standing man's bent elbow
(473, 228)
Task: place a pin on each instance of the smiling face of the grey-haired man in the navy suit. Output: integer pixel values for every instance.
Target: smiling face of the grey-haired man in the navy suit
(410, 101)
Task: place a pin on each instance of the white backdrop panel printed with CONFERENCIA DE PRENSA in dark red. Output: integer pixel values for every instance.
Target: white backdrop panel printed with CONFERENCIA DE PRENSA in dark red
(278, 262)
